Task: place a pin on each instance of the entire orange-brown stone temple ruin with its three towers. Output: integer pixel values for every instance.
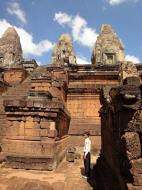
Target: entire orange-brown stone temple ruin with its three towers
(46, 109)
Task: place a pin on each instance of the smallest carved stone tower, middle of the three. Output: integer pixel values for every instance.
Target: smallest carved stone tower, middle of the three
(63, 52)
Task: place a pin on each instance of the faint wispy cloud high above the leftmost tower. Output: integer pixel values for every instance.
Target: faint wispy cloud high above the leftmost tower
(15, 9)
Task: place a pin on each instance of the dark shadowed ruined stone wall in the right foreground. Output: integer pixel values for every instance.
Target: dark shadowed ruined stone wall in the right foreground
(119, 164)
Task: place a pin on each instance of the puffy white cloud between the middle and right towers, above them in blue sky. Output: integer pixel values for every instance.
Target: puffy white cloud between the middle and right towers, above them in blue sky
(81, 33)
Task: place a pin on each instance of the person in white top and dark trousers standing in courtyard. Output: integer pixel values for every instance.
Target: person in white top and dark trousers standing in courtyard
(87, 155)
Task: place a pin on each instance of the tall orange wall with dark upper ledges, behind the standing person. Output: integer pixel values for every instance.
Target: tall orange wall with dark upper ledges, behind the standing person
(83, 101)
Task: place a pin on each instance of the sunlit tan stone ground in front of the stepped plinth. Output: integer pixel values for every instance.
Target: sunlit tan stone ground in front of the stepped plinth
(68, 176)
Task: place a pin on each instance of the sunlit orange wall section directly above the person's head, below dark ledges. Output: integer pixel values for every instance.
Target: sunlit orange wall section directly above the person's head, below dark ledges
(84, 114)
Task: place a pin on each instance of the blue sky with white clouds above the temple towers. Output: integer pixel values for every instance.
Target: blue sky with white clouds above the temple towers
(41, 22)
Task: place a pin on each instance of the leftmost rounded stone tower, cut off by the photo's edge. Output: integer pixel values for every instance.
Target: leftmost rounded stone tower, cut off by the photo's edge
(10, 48)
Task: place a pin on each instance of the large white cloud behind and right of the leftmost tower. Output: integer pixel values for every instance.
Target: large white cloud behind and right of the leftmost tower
(28, 46)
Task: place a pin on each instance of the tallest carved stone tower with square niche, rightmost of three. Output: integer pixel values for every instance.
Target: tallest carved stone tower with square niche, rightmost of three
(108, 48)
